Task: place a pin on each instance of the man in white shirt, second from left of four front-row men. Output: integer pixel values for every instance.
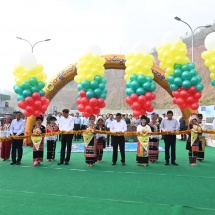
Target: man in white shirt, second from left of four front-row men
(66, 124)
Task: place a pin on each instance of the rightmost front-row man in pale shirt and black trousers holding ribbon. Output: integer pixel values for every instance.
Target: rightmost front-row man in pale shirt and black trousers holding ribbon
(171, 125)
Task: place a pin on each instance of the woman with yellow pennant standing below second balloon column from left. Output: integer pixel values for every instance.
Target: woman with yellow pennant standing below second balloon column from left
(90, 141)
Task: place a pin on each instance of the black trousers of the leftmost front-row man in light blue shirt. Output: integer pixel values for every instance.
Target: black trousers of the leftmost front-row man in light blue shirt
(17, 146)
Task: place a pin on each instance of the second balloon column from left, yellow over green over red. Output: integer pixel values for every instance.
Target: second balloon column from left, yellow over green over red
(91, 84)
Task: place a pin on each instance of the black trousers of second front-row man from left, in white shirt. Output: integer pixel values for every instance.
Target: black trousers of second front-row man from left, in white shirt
(66, 142)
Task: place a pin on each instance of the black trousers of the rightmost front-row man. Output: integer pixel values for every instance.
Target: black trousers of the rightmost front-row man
(170, 141)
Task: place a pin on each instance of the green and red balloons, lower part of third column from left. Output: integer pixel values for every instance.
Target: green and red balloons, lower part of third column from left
(140, 96)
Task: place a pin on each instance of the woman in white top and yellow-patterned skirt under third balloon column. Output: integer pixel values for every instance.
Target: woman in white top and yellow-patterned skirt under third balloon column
(142, 143)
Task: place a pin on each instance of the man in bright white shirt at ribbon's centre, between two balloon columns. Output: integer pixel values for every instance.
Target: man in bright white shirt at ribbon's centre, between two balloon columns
(118, 126)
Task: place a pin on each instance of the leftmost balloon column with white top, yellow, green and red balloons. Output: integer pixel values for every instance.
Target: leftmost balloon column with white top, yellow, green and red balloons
(30, 82)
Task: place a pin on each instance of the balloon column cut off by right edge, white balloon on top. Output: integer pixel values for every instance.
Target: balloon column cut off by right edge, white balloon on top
(209, 55)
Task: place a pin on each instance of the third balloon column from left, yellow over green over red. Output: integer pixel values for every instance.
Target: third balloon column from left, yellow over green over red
(140, 84)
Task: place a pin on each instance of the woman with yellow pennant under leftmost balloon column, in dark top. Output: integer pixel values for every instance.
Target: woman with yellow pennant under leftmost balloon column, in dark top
(38, 141)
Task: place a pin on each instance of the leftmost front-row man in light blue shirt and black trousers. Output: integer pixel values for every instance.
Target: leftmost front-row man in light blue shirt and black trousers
(17, 128)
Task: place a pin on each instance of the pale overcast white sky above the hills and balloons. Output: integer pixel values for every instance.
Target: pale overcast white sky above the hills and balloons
(73, 25)
